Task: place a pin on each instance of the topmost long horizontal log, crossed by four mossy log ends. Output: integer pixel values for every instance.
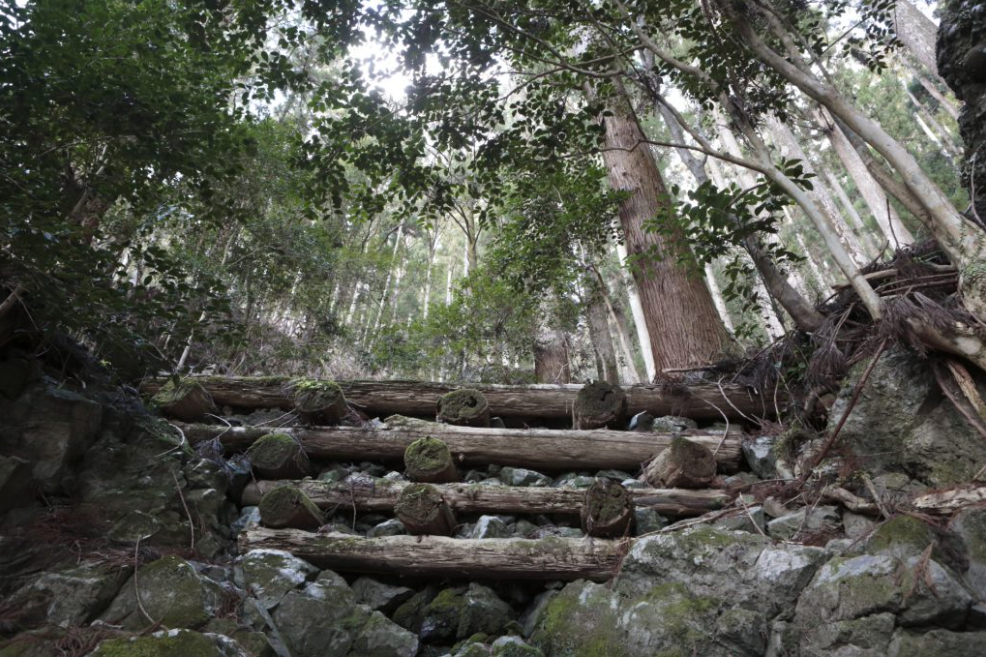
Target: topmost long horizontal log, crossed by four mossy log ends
(420, 398)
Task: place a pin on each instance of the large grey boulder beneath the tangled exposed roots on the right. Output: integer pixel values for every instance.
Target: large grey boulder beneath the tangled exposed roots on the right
(904, 425)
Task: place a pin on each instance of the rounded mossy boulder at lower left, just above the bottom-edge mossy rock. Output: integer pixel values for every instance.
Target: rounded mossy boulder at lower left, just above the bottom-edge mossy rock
(171, 592)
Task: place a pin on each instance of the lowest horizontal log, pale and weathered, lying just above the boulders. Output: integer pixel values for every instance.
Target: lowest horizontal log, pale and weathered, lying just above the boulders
(552, 558)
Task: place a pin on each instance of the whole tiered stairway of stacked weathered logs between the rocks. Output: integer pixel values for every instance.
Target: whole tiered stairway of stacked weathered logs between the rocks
(432, 552)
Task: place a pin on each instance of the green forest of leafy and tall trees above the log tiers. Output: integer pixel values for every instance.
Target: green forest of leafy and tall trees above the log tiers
(475, 190)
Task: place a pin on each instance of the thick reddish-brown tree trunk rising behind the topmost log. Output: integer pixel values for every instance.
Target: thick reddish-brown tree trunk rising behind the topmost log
(684, 327)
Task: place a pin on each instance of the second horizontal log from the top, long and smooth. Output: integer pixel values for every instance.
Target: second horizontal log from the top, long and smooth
(540, 449)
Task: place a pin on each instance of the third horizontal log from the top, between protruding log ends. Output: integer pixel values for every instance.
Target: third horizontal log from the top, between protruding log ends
(371, 494)
